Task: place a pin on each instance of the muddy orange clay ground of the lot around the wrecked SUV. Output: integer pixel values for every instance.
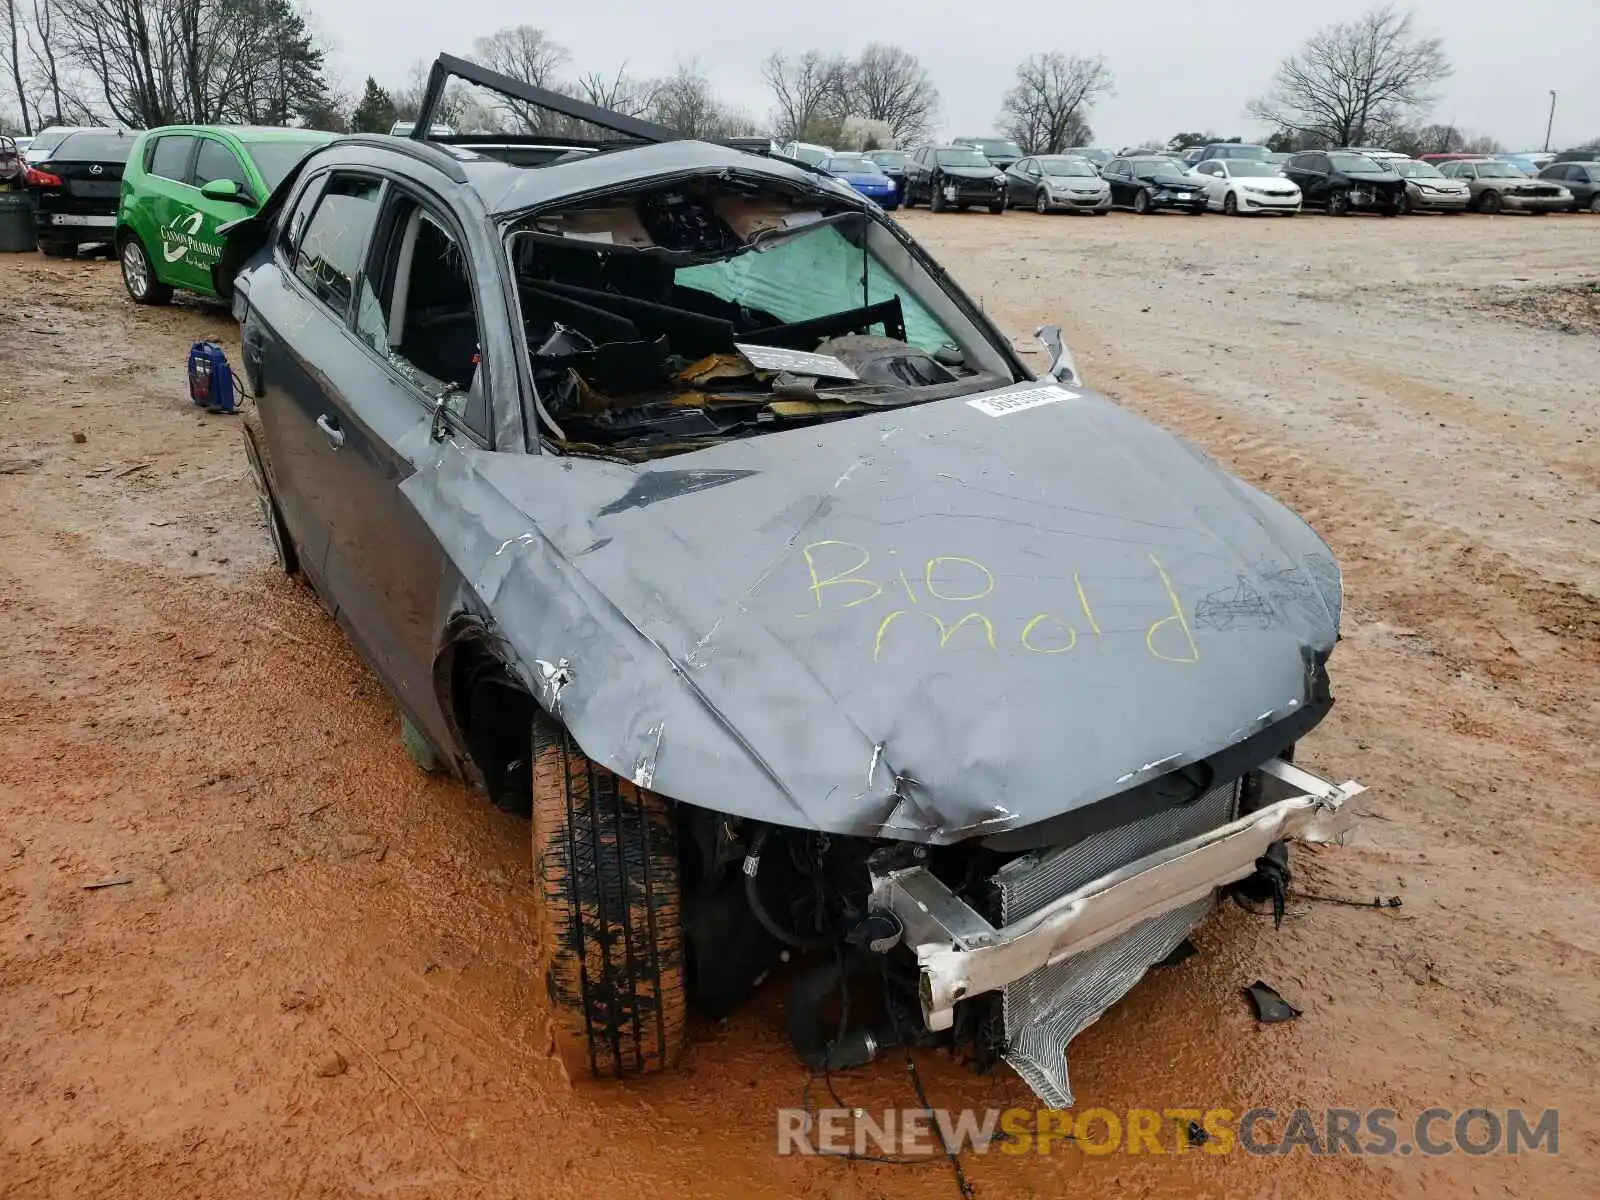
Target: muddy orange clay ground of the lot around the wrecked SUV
(319, 978)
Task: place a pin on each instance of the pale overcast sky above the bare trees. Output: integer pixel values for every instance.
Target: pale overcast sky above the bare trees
(1180, 65)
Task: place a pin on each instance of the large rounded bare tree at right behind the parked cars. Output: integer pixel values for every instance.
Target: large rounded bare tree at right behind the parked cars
(1354, 82)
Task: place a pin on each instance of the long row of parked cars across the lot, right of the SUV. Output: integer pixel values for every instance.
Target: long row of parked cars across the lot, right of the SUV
(1228, 178)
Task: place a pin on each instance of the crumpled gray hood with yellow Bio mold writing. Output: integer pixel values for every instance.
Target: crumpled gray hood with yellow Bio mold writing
(932, 623)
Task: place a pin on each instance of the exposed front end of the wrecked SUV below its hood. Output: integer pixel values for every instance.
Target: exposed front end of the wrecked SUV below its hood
(1007, 956)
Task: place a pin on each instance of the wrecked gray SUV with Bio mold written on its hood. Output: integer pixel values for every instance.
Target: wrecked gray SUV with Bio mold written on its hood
(686, 503)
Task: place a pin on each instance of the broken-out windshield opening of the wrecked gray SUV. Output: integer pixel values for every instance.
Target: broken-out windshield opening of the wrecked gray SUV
(694, 313)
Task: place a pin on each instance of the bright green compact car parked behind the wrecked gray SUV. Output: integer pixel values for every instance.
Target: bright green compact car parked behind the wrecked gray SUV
(182, 185)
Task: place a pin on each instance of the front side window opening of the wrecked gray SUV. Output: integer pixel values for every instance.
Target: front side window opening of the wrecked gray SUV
(418, 310)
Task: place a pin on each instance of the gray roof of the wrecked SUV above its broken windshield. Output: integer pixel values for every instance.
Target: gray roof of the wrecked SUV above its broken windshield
(506, 190)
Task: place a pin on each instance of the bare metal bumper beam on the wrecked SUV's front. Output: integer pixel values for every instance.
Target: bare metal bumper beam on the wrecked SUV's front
(961, 954)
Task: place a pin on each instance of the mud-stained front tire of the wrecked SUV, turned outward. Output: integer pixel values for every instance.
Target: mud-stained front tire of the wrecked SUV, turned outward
(610, 930)
